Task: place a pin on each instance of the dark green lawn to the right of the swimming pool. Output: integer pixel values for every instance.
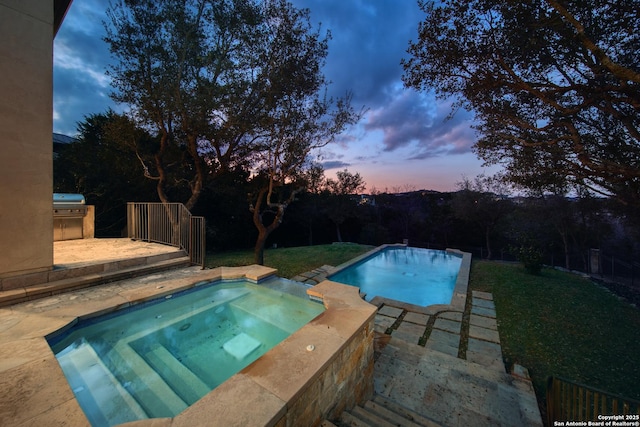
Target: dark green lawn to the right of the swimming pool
(562, 324)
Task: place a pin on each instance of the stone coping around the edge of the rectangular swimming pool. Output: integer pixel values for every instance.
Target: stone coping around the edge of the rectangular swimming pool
(458, 299)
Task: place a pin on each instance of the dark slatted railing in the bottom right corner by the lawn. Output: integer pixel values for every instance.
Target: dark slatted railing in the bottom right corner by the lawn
(571, 401)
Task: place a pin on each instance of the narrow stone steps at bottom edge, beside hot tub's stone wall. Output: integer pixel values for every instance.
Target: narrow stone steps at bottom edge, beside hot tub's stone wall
(381, 412)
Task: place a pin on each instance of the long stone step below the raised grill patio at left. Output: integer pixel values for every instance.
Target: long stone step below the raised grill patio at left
(94, 275)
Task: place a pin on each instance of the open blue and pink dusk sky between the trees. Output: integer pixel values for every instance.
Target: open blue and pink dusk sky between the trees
(403, 142)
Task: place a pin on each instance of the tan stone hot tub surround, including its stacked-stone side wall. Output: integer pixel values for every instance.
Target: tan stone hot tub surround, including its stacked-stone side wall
(288, 386)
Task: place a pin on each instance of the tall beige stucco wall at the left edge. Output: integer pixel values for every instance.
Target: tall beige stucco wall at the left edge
(26, 172)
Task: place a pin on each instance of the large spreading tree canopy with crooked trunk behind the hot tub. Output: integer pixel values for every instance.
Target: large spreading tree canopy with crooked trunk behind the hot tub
(232, 83)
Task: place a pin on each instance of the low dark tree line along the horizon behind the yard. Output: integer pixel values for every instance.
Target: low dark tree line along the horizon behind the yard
(478, 217)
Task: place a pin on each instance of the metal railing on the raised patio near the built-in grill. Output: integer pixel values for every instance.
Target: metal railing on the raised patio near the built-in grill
(169, 224)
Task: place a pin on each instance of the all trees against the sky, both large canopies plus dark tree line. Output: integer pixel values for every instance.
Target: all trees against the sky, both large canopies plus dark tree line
(227, 103)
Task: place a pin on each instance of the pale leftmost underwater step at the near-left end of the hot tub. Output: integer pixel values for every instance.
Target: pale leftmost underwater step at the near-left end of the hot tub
(99, 392)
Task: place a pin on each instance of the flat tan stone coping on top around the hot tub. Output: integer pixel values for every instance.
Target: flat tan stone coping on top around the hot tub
(37, 393)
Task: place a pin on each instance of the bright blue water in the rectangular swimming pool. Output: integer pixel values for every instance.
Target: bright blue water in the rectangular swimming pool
(412, 275)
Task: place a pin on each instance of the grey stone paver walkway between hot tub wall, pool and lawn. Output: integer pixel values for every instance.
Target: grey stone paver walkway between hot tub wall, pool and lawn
(446, 365)
